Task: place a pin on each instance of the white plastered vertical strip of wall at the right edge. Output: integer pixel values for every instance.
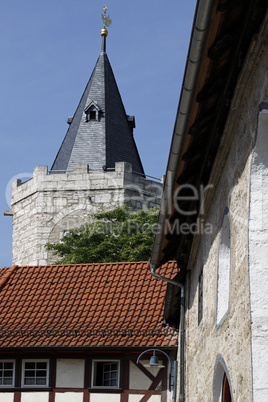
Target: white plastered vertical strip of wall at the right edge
(258, 260)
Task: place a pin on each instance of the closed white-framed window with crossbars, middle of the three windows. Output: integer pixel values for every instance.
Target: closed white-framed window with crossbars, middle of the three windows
(35, 373)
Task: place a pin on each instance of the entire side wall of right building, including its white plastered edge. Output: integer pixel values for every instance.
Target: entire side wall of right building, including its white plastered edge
(237, 342)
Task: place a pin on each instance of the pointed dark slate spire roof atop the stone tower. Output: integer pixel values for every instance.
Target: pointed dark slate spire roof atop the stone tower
(106, 136)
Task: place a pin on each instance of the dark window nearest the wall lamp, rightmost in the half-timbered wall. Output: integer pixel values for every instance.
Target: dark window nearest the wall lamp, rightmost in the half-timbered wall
(105, 373)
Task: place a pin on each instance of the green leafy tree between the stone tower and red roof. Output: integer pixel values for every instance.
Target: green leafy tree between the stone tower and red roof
(113, 236)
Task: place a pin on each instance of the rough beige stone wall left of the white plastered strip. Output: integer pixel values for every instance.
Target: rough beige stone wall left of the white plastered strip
(209, 346)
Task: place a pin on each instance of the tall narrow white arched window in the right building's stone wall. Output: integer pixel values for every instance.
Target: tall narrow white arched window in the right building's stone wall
(224, 267)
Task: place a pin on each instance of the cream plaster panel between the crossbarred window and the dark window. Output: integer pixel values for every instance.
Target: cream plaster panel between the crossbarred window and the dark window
(70, 373)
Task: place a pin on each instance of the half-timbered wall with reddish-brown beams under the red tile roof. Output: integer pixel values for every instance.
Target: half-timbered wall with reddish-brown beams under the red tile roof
(70, 380)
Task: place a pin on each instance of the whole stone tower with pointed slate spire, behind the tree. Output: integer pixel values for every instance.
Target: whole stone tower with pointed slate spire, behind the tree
(97, 168)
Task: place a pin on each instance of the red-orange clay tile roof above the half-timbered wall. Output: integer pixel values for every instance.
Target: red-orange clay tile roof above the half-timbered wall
(103, 305)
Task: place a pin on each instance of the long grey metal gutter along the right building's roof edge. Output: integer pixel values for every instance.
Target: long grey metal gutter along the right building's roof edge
(190, 79)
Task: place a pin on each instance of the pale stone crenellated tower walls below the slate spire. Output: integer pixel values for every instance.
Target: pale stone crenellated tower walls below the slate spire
(48, 205)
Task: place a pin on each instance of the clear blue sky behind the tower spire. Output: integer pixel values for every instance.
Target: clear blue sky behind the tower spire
(48, 50)
